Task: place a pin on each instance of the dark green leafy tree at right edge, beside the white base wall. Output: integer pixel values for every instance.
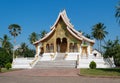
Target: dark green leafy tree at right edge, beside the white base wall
(112, 49)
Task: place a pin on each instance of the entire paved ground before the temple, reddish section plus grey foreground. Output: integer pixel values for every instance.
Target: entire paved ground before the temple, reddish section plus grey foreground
(51, 76)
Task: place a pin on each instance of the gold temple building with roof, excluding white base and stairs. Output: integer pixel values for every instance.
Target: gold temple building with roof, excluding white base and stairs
(63, 38)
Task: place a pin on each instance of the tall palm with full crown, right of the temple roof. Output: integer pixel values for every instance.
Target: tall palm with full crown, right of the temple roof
(99, 33)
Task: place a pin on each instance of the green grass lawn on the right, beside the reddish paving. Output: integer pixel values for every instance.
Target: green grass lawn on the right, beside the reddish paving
(100, 72)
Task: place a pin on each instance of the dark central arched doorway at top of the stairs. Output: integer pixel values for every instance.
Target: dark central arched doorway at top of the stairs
(61, 45)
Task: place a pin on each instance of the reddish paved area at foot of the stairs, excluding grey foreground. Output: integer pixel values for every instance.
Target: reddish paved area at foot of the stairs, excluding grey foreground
(43, 72)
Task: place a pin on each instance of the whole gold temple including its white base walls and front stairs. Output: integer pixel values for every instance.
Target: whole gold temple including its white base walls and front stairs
(63, 47)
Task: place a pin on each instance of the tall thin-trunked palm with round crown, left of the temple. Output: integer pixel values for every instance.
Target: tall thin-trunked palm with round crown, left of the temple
(14, 30)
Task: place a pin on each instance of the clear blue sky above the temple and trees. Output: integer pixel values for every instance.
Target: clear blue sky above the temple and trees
(38, 15)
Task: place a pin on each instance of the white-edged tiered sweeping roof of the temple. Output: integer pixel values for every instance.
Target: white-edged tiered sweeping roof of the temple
(70, 28)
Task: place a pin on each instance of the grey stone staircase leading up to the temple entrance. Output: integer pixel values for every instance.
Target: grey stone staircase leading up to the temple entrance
(59, 62)
